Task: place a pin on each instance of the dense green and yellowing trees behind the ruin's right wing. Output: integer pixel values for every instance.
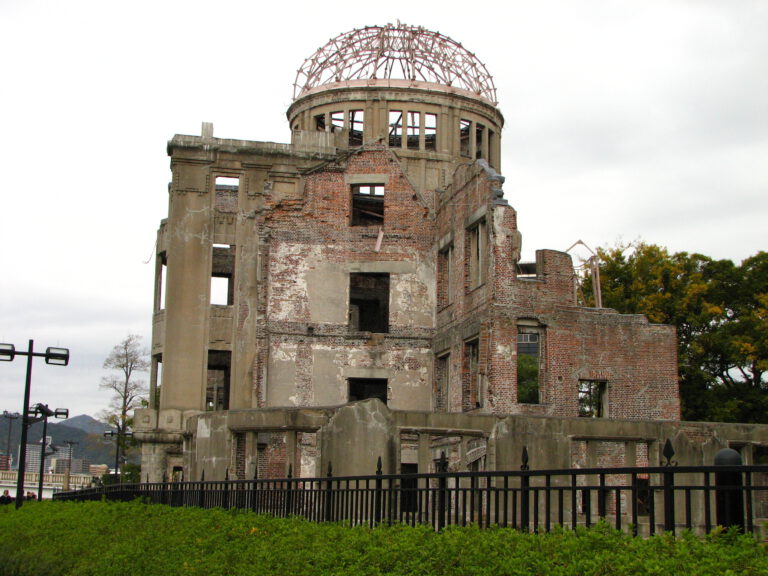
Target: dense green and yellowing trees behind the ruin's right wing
(719, 310)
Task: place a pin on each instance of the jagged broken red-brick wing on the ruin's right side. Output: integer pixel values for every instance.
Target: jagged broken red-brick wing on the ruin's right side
(637, 360)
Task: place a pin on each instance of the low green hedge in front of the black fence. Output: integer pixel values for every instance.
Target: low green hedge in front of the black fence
(113, 539)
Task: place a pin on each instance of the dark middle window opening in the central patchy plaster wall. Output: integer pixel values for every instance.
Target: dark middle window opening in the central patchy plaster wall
(369, 302)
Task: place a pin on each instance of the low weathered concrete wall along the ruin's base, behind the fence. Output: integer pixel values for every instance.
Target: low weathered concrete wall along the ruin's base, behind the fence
(352, 438)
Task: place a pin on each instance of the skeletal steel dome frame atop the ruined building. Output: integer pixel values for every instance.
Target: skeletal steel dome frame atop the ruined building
(395, 51)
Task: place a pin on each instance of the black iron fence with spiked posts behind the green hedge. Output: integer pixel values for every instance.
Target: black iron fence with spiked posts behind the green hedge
(640, 500)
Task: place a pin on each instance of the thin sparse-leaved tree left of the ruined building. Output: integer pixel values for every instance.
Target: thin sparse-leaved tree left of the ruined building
(126, 359)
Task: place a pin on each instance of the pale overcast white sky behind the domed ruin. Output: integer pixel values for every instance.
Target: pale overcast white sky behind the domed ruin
(624, 120)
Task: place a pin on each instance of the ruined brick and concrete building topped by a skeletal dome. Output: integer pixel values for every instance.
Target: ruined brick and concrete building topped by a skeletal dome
(359, 293)
